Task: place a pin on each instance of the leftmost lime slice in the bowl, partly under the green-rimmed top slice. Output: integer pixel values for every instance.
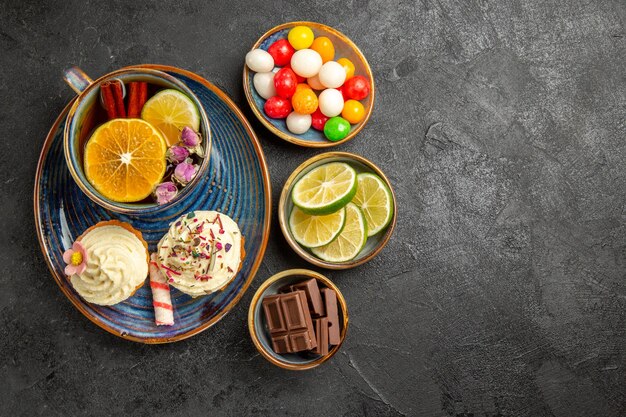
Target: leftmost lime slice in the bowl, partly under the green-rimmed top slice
(313, 231)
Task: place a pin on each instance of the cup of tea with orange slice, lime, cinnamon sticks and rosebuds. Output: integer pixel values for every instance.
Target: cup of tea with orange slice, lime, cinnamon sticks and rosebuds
(136, 141)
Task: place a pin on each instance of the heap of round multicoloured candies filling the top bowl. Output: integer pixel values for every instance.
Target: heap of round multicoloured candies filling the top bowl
(291, 69)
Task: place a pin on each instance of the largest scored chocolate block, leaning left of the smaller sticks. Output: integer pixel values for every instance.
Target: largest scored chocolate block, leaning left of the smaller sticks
(289, 322)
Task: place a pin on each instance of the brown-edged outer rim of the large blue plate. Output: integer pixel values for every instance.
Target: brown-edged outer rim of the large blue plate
(266, 221)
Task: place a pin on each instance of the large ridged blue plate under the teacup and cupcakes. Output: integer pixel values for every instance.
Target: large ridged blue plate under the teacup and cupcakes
(236, 183)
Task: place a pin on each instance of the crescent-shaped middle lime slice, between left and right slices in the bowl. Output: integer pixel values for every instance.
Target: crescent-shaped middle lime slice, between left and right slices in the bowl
(350, 241)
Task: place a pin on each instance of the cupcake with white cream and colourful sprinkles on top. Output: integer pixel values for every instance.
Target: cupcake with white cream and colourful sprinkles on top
(201, 253)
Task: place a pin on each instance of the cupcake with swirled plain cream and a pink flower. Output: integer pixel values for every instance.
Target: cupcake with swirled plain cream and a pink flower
(107, 263)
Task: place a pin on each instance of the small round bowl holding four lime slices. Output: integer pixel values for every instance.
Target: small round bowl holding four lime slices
(337, 210)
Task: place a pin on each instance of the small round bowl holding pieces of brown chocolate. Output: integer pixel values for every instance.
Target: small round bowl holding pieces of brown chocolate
(298, 319)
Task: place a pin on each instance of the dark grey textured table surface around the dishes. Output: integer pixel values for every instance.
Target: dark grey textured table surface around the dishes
(502, 291)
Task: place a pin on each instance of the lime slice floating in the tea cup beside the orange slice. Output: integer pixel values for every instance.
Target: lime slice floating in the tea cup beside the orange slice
(170, 111)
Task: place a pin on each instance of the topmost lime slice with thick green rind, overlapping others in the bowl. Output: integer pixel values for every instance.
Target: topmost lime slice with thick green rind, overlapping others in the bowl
(325, 189)
